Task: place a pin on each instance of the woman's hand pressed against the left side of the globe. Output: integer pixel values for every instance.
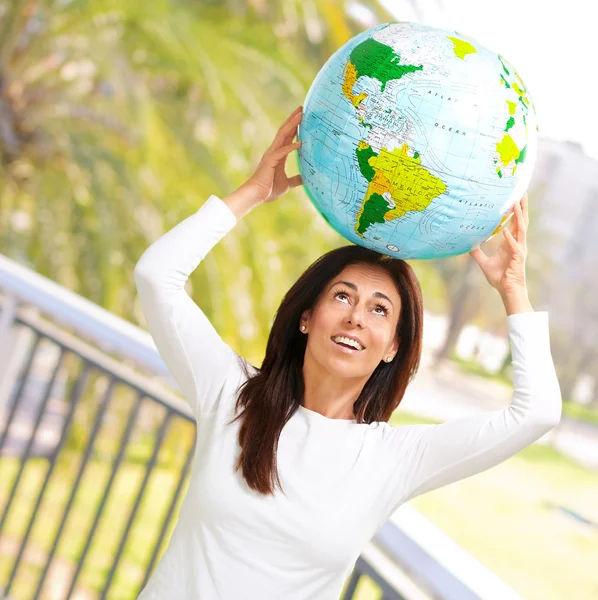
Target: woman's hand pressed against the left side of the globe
(270, 181)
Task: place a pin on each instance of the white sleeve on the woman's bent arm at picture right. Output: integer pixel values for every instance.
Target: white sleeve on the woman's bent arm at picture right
(432, 456)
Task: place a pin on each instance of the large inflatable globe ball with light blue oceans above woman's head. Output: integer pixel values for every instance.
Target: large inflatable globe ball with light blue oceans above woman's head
(416, 142)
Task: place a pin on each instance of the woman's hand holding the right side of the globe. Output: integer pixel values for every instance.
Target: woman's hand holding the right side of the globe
(505, 270)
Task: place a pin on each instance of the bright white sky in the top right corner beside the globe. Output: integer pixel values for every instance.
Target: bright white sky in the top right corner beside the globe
(552, 44)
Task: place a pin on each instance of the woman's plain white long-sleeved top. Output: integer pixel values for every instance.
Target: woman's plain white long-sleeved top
(342, 479)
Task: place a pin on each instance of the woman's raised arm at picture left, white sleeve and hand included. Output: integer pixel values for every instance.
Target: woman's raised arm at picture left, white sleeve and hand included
(198, 358)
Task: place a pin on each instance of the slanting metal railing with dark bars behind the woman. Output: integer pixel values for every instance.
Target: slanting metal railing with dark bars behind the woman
(77, 419)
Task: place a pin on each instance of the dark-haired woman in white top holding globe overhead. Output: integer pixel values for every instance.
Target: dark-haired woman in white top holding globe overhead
(295, 466)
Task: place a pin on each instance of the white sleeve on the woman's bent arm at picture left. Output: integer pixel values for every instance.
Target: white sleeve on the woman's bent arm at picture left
(195, 354)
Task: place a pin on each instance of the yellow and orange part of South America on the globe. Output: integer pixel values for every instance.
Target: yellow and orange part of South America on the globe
(411, 186)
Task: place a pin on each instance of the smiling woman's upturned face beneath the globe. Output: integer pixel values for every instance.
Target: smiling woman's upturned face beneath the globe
(363, 303)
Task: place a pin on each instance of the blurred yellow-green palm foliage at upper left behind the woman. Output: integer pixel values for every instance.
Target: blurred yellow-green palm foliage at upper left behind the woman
(117, 118)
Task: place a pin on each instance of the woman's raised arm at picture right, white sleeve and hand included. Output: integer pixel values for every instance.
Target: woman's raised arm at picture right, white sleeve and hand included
(436, 455)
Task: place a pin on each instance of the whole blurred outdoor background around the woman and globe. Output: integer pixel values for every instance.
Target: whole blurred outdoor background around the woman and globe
(117, 121)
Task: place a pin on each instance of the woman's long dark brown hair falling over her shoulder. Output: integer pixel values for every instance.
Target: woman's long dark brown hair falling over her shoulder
(270, 397)
